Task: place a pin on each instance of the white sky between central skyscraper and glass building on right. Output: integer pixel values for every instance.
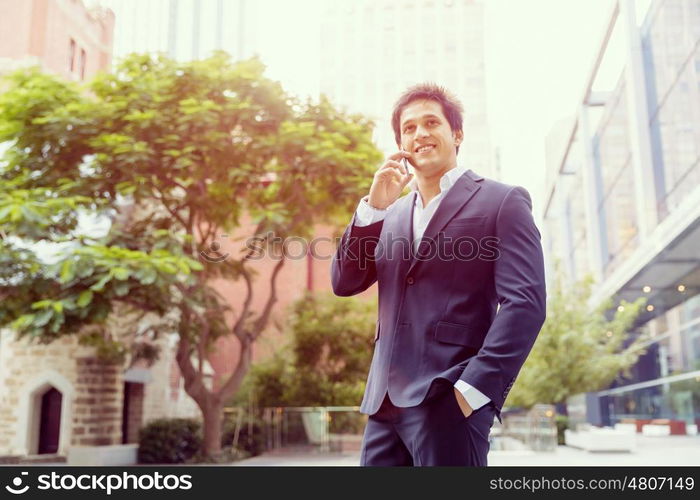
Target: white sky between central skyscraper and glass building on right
(538, 55)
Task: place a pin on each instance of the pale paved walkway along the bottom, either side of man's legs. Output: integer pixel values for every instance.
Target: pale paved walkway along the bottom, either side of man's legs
(651, 451)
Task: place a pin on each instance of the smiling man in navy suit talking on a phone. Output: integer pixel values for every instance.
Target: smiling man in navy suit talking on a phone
(460, 272)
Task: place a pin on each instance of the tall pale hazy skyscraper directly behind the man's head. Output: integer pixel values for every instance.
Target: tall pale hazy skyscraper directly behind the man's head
(372, 50)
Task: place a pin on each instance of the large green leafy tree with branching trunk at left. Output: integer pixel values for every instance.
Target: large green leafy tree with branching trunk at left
(174, 154)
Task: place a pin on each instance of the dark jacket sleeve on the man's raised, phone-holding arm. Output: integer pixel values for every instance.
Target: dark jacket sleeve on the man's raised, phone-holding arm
(353, 268)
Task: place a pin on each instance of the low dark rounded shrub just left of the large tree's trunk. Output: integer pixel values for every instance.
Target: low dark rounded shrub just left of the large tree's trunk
(169, 441)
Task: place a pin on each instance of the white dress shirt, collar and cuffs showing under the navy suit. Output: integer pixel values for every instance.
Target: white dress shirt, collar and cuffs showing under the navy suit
(367, 215)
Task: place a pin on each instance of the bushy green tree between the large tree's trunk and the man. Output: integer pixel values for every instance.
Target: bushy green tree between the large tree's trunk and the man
(327, 360)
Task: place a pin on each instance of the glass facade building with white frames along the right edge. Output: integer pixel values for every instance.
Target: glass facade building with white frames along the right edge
(623, 202)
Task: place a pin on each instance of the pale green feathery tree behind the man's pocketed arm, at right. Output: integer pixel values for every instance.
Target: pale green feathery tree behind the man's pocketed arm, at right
(578, 349)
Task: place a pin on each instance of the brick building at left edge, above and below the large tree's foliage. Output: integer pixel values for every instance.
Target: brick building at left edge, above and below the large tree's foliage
(57, 396)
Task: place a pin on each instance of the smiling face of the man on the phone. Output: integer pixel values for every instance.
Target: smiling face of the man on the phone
(426, 134)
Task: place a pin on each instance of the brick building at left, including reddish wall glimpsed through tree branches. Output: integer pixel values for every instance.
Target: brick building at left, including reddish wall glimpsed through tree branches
(60, 396)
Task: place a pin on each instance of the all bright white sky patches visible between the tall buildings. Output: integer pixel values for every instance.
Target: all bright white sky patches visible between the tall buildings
(538, 54)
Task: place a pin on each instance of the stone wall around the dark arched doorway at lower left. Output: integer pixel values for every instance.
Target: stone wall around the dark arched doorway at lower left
(92, 391)
